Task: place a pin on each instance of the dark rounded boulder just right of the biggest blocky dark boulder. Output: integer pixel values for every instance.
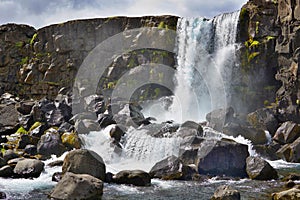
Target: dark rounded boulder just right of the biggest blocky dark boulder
(259, 169)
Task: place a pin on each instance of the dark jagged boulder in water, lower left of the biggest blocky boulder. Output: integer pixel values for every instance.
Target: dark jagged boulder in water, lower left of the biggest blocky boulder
(172, 168)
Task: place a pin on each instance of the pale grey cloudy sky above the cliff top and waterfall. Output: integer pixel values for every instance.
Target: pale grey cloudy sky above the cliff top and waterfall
(39, 13)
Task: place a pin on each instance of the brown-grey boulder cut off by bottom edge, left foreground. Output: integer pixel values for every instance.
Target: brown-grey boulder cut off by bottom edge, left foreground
(77, 186)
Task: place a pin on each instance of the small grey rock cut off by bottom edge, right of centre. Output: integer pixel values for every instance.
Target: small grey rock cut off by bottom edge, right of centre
(225, 192)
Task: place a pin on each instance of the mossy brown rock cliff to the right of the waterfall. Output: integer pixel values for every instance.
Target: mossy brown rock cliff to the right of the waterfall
(270, 33)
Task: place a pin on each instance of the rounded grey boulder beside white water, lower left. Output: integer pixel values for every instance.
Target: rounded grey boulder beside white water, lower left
(29, 168)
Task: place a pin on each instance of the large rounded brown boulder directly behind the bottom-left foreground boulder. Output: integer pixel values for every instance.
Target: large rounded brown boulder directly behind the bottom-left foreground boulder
(83, 161)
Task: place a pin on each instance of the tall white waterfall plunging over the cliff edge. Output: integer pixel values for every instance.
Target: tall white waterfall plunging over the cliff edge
(206, 59)
